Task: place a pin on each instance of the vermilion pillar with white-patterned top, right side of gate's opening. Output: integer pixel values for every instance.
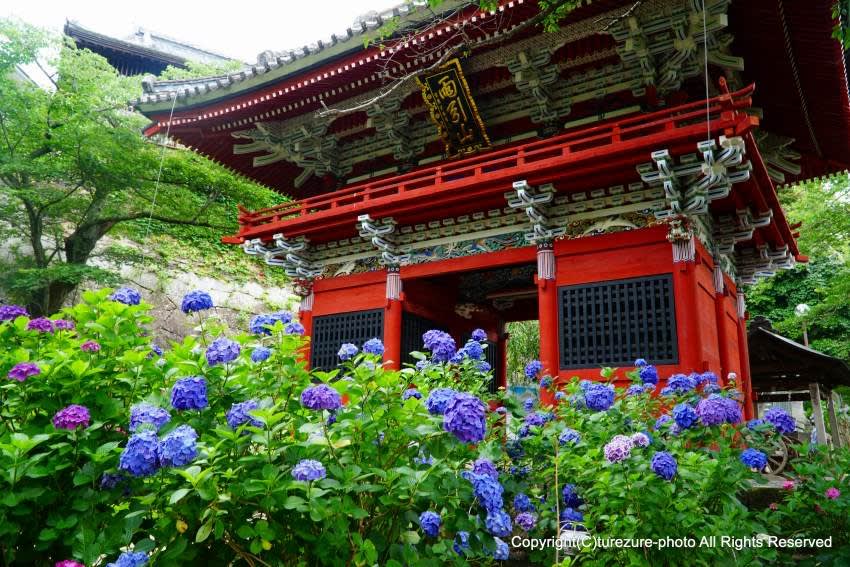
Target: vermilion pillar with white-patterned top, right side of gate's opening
(547, 305)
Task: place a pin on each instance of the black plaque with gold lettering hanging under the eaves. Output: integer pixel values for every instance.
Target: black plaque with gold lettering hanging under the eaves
(452, 109)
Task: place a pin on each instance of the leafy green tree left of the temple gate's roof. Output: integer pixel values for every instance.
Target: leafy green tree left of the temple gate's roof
(74, 165)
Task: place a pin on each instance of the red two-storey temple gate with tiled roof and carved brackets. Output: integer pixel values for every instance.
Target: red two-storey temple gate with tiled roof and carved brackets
(614, 179)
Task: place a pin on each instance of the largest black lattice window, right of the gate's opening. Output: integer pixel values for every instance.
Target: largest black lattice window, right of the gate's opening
(613, 323)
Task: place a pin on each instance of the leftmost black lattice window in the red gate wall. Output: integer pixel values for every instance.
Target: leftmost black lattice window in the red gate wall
(331, 331)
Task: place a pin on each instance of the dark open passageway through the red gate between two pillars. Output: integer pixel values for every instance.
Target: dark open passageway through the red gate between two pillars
(460, 302)
